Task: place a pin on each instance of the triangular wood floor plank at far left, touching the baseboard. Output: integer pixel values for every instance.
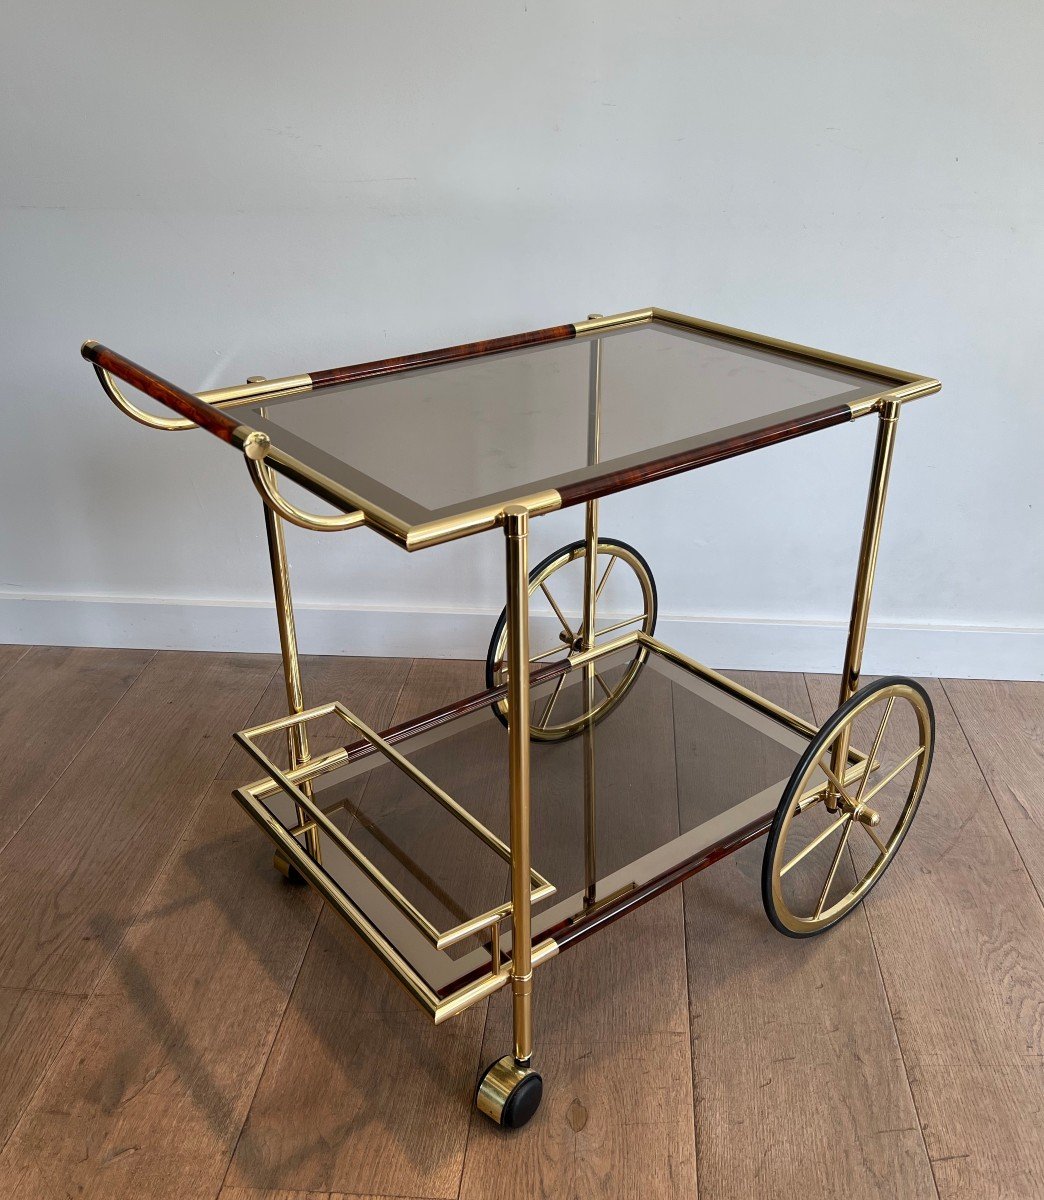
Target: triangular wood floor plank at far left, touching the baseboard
(52, 700)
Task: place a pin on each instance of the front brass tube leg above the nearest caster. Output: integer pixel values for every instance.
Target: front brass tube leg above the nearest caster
(517, 530)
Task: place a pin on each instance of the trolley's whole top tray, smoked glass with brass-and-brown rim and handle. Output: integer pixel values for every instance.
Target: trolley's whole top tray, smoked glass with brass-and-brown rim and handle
(433, 447)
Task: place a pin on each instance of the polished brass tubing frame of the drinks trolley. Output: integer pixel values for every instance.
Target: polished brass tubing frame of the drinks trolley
(263, 459)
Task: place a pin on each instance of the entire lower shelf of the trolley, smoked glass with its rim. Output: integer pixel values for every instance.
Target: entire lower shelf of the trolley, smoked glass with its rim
(686, 767)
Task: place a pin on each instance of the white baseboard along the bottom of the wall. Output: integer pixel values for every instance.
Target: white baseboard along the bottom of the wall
(740, 644)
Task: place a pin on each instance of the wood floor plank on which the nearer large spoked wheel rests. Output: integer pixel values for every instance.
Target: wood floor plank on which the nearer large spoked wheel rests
(801, 1088)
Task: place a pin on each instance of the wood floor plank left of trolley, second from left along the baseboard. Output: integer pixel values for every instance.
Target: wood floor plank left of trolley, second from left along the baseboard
(79, 868)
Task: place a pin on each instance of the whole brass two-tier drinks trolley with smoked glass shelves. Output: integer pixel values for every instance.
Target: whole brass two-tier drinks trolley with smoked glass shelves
(599, 767)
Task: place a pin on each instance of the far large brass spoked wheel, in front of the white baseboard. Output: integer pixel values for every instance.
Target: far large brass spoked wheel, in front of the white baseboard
(556, 586)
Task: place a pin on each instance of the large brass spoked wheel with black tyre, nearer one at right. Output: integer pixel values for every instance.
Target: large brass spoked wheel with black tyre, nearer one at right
(833, 838)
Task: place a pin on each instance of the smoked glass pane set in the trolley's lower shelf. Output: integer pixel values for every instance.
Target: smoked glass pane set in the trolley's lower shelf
(679, 766)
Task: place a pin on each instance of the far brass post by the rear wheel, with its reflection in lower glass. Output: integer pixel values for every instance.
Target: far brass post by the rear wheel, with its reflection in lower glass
(589, 622)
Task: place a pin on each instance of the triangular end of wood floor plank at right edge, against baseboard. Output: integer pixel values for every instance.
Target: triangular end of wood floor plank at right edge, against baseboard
(1004, 723)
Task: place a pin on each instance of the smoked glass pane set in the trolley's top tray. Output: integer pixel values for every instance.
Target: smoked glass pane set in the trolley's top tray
(463, 434)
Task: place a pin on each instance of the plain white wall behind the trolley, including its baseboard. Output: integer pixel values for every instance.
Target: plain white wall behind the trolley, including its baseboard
(263, 189)
